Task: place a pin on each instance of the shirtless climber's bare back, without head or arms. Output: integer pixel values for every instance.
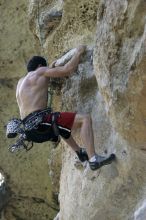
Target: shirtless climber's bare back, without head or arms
(32, 93)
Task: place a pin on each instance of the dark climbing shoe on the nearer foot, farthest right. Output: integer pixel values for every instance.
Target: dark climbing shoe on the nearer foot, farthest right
(101, 161)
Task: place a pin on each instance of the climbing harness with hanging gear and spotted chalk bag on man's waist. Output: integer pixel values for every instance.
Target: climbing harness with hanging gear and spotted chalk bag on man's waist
(27, 125)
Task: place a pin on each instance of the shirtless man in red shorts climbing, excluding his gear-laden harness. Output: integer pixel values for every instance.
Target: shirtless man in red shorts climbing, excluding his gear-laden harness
(32, 93)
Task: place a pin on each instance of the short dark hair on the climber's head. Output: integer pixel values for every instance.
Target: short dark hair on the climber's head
(34, 62)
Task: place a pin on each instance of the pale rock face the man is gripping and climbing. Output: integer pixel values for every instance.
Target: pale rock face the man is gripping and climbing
(116, 104)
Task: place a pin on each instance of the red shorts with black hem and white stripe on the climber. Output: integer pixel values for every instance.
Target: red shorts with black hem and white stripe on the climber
(64, 122)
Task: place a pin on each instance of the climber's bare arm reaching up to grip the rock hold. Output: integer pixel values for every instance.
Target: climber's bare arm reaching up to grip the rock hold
(68, 68)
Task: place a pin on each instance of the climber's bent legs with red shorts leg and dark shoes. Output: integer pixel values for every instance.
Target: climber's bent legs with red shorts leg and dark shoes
(85, 124)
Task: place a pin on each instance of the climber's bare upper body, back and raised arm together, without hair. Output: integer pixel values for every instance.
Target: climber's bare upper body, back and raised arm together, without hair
(32, 90)
